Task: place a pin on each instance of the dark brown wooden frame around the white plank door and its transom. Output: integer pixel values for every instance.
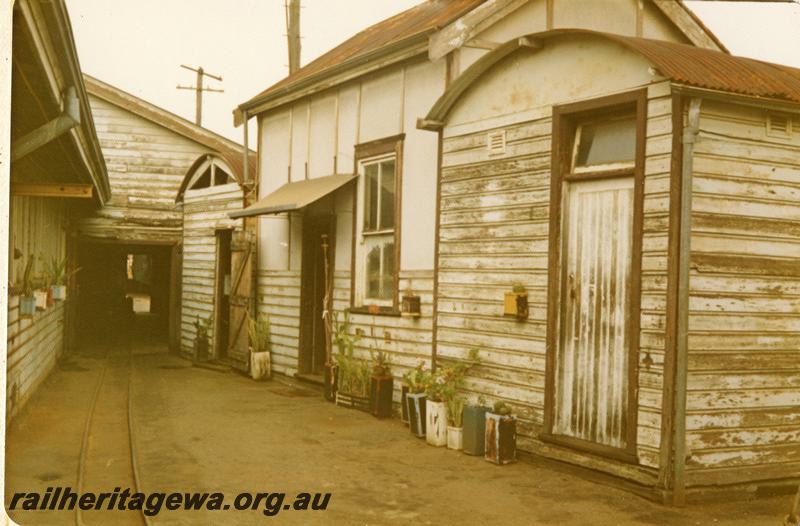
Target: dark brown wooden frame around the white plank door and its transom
(565, 118)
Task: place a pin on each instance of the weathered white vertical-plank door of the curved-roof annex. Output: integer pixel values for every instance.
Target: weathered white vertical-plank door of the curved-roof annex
(592, 369)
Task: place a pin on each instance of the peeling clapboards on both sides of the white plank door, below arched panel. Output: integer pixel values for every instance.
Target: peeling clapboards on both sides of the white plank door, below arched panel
(494, 233)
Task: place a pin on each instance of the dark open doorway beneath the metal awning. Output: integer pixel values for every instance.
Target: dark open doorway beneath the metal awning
(317, 233)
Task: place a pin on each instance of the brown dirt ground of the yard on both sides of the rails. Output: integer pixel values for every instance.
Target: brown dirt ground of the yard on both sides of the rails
(204, 430)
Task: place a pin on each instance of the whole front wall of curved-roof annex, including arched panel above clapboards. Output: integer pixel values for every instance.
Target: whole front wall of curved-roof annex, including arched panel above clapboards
(495, 228)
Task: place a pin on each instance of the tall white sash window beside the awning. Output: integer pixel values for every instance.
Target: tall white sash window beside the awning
(376, 254)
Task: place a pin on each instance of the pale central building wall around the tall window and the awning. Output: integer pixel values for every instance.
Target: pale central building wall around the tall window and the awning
(306, 138)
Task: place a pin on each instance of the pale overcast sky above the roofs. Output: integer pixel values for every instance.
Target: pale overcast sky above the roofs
(139, 45)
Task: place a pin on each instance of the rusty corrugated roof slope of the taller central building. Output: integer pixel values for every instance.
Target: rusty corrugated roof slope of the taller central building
(415, 22)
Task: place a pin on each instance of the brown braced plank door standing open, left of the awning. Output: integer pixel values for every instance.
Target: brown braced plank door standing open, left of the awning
(241, 297)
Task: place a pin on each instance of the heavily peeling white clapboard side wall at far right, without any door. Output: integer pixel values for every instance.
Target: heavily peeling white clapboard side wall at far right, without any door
(743, 403)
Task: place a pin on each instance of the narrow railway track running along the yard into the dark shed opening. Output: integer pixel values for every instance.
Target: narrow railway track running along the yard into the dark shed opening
(108, 448)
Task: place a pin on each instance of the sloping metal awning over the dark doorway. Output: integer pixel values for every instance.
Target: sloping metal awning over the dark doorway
(294, 196)
